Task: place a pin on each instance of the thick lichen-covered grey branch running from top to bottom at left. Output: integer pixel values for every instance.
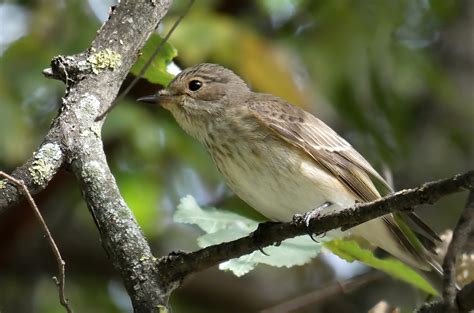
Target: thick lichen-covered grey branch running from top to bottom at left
(93, 80)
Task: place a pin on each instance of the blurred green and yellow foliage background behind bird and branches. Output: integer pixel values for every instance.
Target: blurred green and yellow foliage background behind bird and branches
(395, 78)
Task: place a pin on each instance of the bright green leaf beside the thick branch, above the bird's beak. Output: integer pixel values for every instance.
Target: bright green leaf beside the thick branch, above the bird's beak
(156, 72)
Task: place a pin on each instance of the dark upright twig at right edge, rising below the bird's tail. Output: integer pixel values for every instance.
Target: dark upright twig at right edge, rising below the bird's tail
(460, 235)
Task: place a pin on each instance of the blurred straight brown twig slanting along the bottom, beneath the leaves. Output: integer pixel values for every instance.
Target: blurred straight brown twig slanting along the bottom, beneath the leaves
(325, 293)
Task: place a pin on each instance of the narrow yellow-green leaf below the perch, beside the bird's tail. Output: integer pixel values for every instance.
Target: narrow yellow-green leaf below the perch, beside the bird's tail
(351, 251)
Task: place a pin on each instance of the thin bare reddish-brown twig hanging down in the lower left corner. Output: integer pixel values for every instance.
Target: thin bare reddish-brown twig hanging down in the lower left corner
(61, 264)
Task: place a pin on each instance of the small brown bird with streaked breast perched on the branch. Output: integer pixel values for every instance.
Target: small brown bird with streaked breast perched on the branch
(282, 160)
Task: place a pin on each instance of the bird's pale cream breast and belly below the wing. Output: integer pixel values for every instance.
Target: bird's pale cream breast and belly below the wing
(270, 175)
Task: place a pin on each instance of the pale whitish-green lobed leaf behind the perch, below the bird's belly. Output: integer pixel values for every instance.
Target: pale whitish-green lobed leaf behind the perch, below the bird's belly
(221, 226)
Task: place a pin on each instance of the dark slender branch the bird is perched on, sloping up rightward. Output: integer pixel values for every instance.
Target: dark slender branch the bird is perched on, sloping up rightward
(178, 266)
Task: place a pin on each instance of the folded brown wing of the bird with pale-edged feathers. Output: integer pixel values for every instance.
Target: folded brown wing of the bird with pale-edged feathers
(329, 150)
